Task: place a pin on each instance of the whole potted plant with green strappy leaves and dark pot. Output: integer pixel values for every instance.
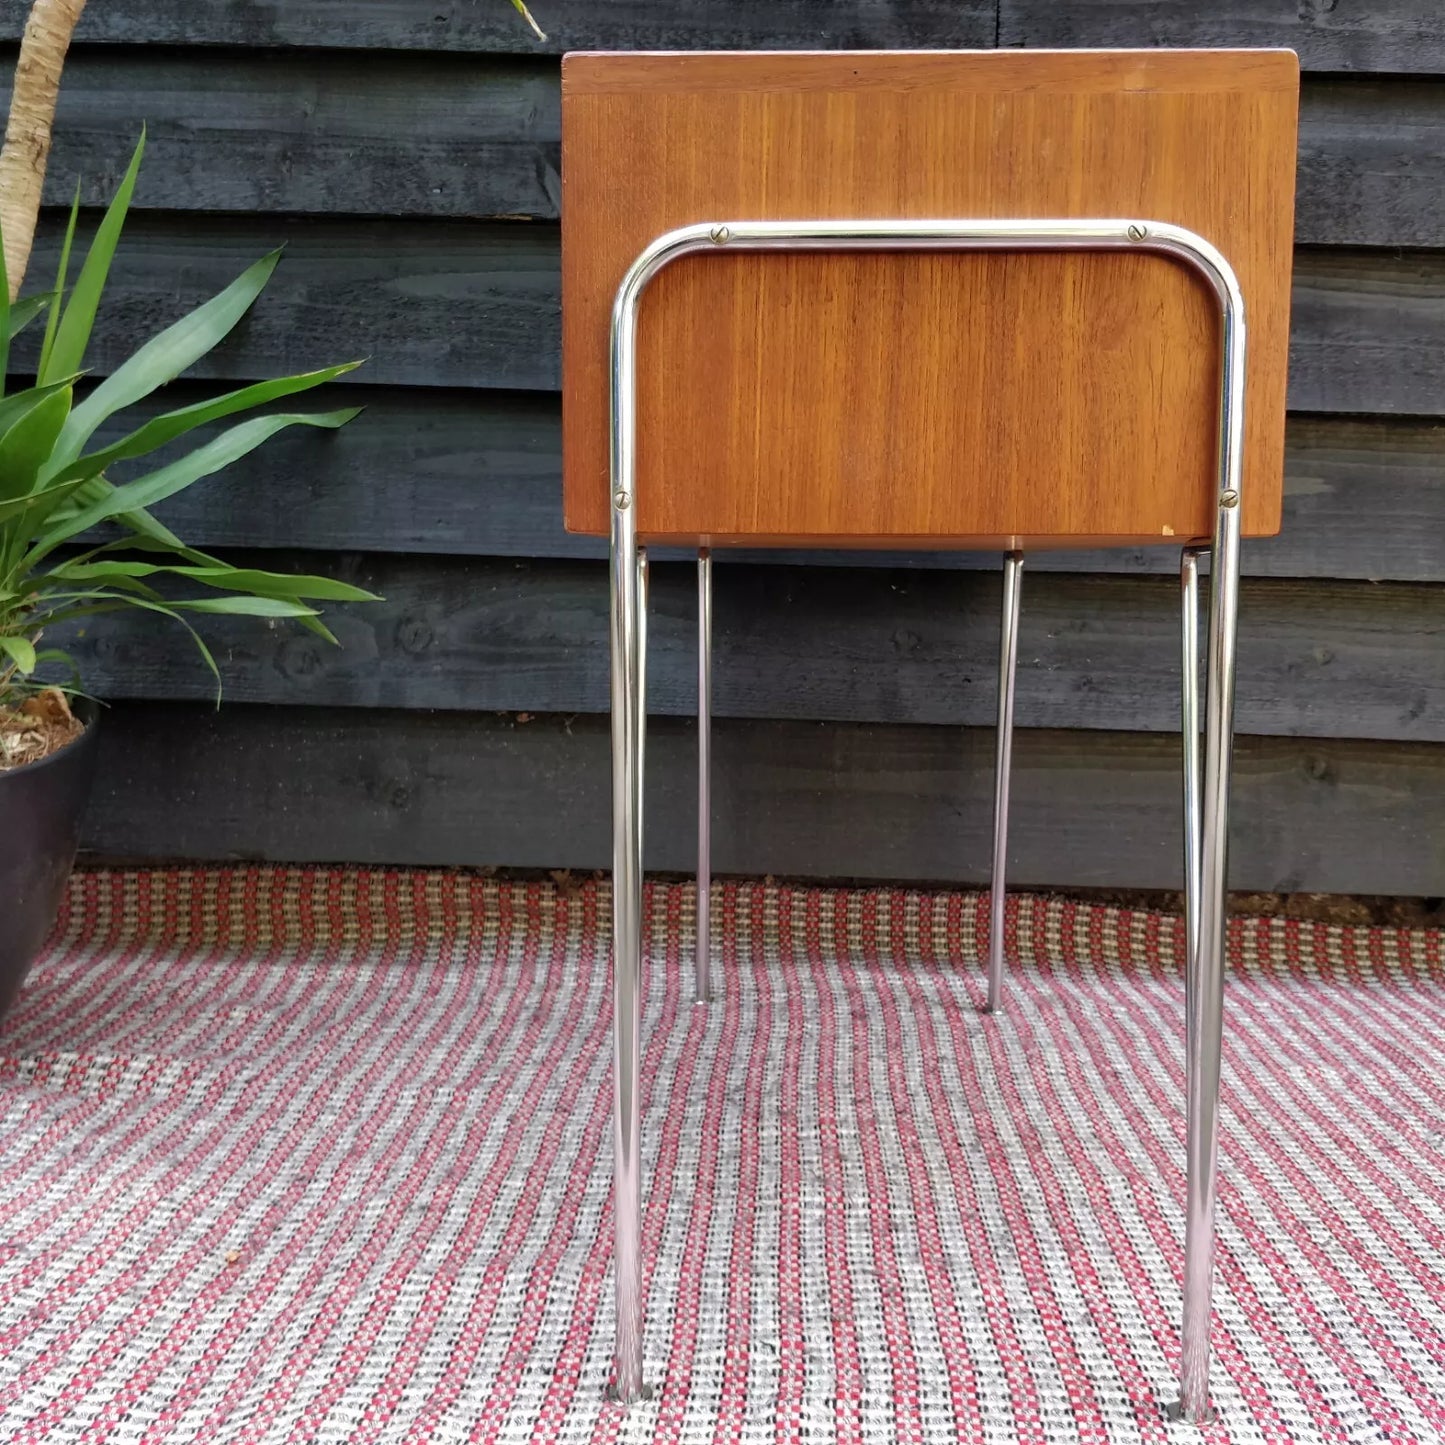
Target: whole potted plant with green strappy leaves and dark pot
(77, 540)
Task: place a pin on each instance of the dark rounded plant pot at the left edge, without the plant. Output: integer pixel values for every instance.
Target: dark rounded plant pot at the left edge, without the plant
(43, 806)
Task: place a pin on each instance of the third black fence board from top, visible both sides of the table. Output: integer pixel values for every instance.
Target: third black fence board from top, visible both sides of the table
(476, 304)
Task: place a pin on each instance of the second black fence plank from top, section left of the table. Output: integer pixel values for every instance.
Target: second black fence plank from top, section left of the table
(350, 135)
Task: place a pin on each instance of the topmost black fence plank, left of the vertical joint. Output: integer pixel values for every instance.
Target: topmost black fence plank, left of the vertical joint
(570, 25)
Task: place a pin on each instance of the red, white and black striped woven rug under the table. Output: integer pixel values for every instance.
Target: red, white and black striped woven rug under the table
(306, 1155)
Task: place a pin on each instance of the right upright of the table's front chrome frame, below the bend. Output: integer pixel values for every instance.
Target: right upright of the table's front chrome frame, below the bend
(1206, 993)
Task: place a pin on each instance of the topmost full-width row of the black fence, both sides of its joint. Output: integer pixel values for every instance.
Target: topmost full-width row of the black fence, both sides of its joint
(1381, 35)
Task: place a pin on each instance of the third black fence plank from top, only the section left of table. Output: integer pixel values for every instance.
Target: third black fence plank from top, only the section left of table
(428, 303)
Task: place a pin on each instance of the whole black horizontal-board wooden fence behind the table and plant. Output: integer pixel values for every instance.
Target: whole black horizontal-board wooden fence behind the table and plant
(408, 158)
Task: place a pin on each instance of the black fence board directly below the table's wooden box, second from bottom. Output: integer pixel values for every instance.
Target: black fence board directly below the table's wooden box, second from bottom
(1320, 660)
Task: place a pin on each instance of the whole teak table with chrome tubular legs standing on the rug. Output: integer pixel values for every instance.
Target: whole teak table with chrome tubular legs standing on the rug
(928, 300)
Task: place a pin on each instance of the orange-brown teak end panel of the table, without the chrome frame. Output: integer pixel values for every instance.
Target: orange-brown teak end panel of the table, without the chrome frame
(926, 400)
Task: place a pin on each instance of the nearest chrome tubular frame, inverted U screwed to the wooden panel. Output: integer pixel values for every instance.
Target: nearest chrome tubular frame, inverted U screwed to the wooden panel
(1206, 965)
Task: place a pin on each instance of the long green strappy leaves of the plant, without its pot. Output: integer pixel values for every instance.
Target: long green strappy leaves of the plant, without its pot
(74, 540)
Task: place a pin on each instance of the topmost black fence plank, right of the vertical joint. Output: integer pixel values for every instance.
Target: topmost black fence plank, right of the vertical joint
(1358, 35)
